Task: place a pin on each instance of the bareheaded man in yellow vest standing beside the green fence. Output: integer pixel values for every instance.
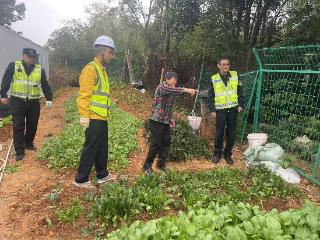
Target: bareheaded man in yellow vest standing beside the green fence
(225, 101)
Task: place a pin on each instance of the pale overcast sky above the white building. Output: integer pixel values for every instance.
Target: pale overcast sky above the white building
(45, 16)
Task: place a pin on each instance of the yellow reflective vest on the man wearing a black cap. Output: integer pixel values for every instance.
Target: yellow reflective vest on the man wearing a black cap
(24, 86)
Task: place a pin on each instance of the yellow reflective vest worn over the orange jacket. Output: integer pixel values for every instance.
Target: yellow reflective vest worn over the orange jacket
(100, 99)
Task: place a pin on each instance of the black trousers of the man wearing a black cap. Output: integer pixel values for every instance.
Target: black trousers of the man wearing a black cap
(25, 117)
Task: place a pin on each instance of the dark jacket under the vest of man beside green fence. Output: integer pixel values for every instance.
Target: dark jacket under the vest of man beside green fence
(211, 95)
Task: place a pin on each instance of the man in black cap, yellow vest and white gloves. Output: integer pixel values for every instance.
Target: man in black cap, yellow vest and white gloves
(25, 78)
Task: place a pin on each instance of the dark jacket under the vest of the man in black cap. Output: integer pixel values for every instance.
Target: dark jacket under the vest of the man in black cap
(8, 75)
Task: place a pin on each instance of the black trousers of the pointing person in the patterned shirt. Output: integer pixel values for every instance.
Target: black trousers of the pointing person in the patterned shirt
(160, 143)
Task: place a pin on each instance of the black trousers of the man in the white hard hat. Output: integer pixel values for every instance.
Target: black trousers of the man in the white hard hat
(94, 152)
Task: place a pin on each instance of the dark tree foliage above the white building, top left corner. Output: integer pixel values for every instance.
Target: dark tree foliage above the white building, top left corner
(11, 12)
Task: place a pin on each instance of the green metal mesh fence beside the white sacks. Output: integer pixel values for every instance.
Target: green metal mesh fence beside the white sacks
(286, 103)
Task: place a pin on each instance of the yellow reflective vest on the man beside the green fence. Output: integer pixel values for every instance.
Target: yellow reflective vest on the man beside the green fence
(225, 96)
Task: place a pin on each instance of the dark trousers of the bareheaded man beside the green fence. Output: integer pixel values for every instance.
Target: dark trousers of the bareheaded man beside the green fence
(225, 119)
